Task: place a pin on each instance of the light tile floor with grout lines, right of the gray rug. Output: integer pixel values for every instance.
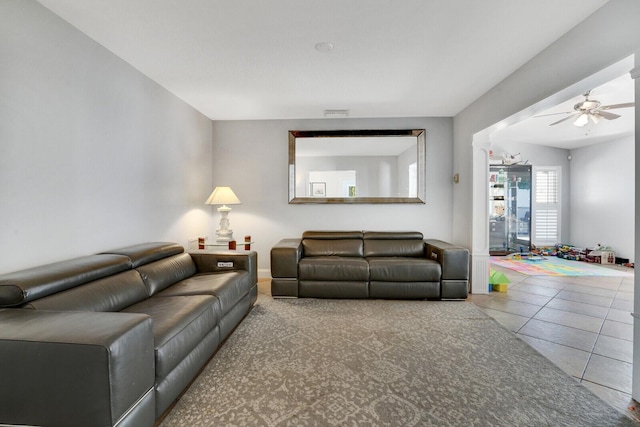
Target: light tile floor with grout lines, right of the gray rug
(582, 324)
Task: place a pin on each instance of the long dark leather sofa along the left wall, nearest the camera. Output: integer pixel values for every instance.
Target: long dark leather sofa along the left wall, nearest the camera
(113, 338)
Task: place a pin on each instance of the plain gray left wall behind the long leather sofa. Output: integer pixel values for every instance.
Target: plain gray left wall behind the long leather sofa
(93, 155)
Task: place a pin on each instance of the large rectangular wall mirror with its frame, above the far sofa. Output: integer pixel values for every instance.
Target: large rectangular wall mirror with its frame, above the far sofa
(357, 166)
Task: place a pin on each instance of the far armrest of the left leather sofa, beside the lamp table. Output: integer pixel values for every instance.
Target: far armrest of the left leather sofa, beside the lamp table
(221, 261)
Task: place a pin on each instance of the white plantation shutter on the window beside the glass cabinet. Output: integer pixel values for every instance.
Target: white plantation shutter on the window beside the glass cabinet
(546, 212)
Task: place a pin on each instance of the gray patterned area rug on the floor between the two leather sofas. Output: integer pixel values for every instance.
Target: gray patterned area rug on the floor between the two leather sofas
(311, 362)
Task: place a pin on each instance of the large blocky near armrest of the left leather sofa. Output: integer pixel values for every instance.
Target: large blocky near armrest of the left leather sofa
(75, 368)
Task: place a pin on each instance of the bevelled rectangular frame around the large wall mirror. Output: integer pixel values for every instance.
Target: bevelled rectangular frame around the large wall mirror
(378, 133)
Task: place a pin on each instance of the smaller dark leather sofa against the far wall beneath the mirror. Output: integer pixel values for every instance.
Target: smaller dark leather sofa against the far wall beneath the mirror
(368, 264)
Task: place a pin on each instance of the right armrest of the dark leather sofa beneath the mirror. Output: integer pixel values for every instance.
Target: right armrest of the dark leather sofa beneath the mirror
(454, 261)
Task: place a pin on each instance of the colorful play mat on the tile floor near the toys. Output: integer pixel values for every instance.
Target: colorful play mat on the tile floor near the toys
(554, 266)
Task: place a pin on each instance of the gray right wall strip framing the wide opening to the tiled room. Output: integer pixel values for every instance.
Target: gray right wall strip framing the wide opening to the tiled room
(566, 62)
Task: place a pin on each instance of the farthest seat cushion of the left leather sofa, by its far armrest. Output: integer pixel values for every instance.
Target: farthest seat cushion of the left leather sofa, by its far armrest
(228, 287)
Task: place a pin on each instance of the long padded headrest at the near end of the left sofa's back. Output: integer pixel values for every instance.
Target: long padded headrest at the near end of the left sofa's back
(27, 285)
